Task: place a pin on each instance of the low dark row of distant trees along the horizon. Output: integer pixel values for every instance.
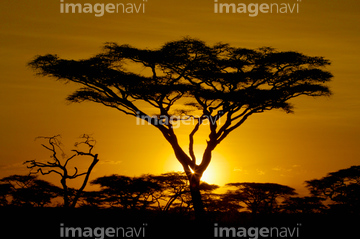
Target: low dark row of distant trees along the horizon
(337, 192)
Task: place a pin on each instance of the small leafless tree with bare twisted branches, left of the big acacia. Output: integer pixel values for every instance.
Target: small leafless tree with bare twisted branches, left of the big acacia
(59, 166)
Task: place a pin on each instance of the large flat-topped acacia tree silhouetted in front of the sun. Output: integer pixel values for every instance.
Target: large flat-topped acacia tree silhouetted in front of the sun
(217, 81)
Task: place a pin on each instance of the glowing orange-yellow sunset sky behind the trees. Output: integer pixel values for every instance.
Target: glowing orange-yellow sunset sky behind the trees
(322, 135)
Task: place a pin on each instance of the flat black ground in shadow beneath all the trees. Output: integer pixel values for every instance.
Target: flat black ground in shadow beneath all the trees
(45, 222)
